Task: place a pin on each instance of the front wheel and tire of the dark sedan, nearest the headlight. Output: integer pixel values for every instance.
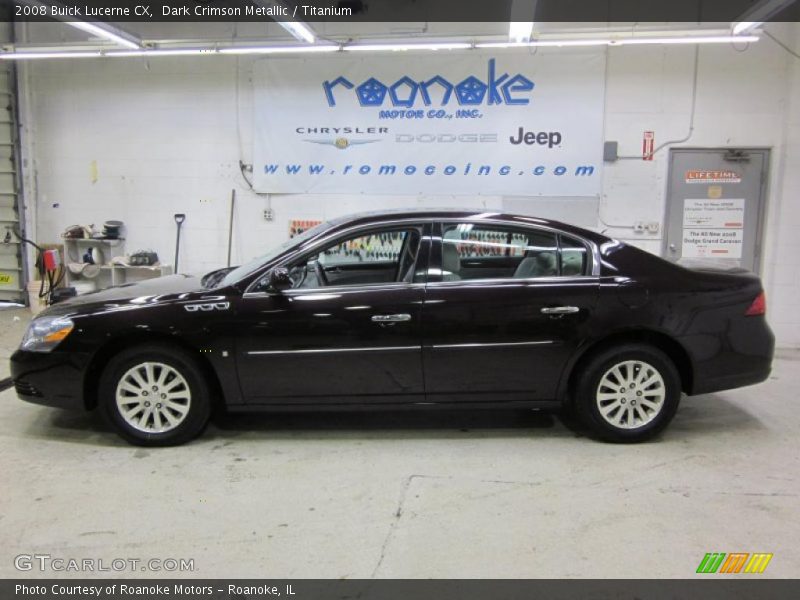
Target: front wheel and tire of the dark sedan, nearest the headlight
(159, 378)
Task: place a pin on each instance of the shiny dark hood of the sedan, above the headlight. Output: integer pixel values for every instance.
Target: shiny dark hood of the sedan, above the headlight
(147, 292)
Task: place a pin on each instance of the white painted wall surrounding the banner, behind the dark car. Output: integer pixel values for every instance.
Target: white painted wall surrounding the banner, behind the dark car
(138, 141)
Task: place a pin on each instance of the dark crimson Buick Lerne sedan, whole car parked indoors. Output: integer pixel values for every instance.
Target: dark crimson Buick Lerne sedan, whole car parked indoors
(392, 309)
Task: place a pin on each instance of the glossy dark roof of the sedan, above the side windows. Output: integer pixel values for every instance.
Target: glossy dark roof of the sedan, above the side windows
(470, 214)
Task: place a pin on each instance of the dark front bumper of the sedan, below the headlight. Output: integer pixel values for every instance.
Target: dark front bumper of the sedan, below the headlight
(50, 378)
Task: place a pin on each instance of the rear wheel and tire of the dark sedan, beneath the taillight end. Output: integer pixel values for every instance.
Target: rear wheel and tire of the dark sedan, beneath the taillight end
(636, 387)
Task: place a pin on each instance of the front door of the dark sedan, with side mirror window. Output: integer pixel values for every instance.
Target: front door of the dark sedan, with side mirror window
(352, 338)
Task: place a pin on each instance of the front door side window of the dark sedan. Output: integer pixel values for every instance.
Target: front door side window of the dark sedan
(382, 256)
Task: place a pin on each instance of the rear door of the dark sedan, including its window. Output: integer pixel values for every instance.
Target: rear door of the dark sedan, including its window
(505, 308)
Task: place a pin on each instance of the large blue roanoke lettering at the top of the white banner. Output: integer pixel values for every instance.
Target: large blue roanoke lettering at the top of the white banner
(406, 92)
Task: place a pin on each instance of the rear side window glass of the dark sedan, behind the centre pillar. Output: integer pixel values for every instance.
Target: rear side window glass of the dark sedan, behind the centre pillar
(472, 251)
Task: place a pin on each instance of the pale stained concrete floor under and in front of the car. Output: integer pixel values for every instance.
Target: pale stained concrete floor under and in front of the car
(436, 494)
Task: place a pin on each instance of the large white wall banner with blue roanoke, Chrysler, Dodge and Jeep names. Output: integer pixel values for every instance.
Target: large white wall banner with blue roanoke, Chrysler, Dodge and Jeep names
(469, 123)
